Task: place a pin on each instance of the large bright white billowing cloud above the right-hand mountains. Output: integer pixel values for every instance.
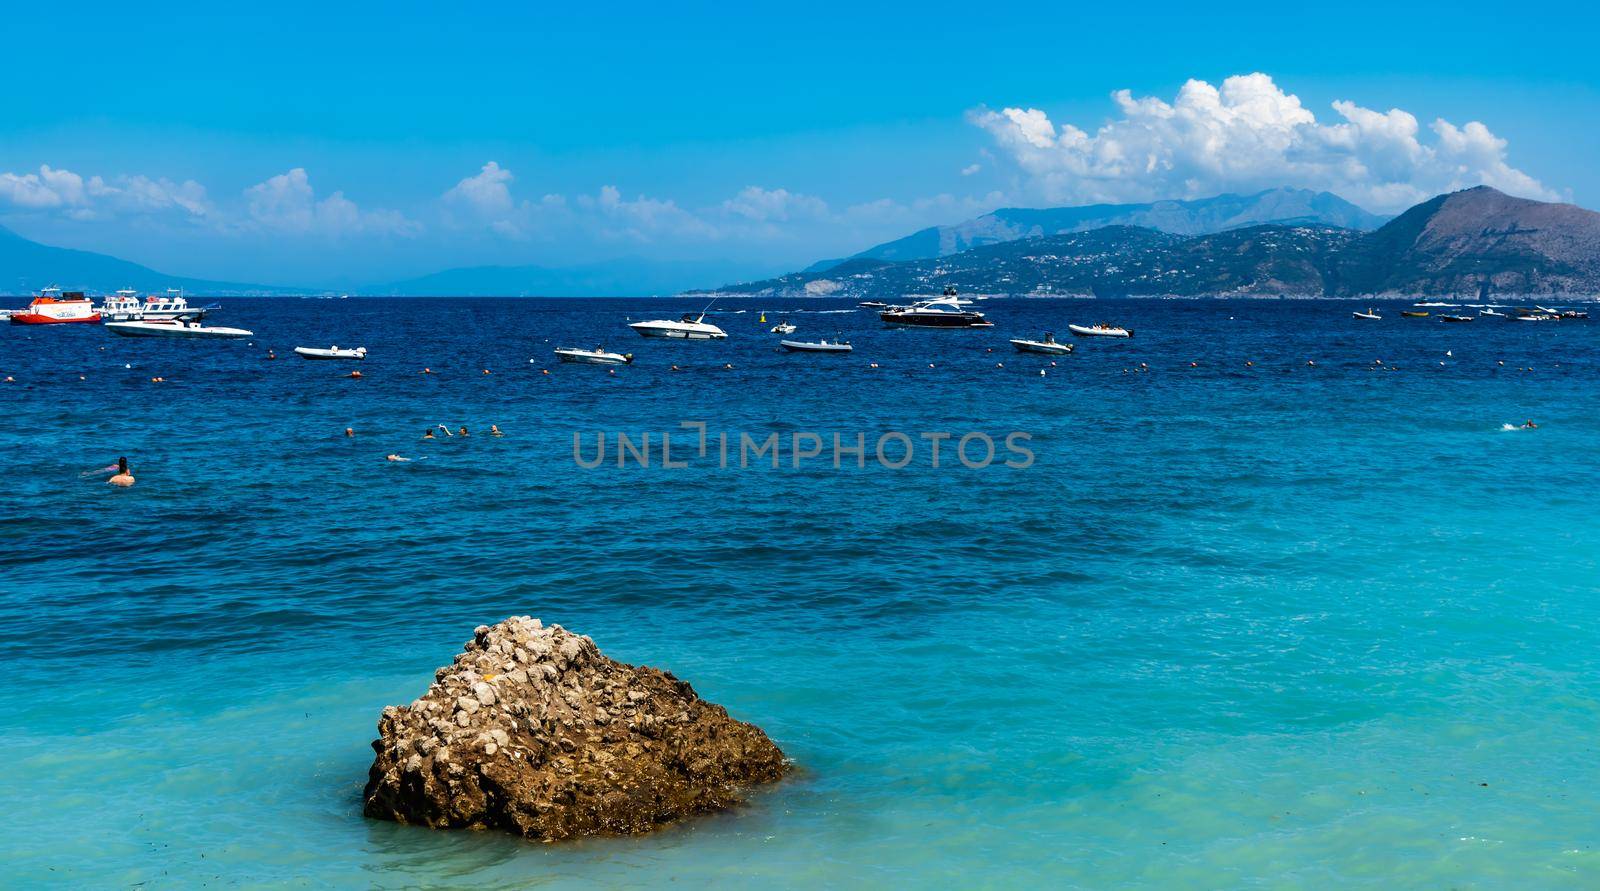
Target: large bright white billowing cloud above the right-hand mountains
(1250, 135)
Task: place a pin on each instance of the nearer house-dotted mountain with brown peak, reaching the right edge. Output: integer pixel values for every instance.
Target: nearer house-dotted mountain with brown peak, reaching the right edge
(1449, 246)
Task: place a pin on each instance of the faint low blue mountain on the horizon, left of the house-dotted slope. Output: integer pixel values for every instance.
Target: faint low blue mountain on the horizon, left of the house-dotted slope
(625, 278)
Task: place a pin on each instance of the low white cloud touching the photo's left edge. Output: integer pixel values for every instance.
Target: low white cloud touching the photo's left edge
(95, 198)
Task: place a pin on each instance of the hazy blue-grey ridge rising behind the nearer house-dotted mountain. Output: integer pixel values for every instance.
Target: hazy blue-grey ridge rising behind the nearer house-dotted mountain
(1282, 207)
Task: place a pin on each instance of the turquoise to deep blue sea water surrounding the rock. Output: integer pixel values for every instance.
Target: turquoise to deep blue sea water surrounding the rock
(1238, 626)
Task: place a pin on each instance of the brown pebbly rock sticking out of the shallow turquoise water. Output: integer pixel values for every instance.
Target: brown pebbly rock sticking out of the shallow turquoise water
(537, 745)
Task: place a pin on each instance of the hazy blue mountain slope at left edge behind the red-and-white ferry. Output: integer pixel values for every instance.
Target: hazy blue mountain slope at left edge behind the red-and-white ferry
(28, 266)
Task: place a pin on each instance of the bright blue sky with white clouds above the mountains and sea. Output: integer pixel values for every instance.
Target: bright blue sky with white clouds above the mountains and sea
(348, 145)
